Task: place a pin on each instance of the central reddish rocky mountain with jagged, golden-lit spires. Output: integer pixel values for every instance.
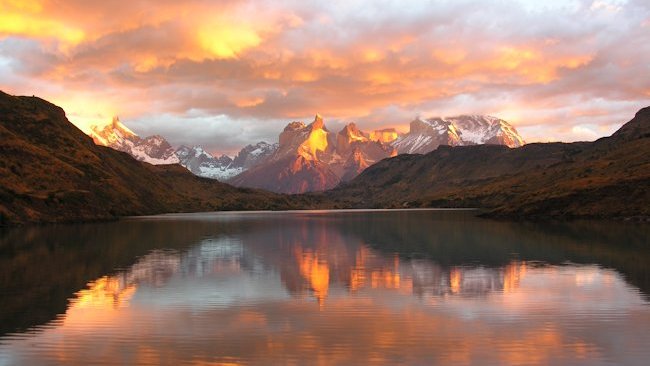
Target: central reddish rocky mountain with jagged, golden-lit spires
(311, 158)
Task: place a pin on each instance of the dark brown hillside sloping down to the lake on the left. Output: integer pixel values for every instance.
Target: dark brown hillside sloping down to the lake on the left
(50, 171)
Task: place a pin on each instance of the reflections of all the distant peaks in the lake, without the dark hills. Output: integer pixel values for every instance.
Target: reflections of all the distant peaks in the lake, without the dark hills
(366, 269)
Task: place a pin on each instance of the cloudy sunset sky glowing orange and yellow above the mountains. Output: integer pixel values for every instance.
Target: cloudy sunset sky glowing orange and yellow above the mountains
(223, 74)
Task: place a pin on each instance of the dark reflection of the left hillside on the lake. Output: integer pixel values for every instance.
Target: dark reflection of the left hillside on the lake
(41, 267)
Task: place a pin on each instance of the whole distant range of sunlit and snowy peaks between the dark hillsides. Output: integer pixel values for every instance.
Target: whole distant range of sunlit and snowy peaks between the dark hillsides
(310, 157)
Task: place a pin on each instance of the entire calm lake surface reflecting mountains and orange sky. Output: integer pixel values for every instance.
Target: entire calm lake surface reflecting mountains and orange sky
(374, 287)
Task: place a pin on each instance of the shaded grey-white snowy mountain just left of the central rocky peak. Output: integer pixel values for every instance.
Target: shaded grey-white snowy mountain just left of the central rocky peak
(203, 164)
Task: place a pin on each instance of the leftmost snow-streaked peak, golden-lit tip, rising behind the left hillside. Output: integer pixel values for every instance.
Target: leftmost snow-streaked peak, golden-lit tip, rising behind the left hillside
(153, 149)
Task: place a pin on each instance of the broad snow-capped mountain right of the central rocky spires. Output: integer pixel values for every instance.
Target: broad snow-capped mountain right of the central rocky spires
(426, 135)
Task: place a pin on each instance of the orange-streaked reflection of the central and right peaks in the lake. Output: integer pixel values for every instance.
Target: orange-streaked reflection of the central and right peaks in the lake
(368, 269)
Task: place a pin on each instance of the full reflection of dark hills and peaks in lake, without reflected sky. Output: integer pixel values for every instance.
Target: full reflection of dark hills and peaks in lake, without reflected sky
(440, 254)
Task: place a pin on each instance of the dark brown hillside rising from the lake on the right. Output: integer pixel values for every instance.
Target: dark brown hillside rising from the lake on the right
(607, 178)
